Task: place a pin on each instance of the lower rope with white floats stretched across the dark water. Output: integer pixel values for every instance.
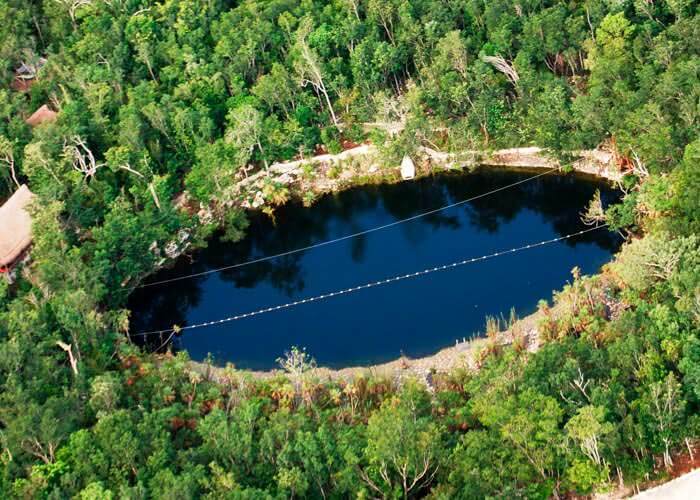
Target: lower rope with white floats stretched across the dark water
(369, 285)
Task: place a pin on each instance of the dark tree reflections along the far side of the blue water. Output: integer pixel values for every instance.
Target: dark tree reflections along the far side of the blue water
(557, 199)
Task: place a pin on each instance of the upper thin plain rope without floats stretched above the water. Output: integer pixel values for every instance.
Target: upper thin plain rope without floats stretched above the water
(343, 238)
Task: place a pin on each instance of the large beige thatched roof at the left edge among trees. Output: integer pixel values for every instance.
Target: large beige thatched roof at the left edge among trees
(15, 226)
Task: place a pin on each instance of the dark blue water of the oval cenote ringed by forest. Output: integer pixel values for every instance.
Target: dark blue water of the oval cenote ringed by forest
(416, 317)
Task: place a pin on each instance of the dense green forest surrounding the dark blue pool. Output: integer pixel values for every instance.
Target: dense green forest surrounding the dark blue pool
(155, 98)
